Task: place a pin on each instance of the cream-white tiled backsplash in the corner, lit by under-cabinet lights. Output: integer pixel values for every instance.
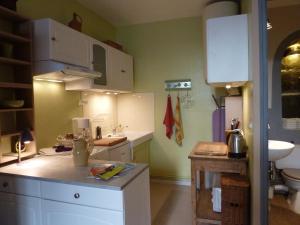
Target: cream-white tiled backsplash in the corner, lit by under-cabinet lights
(134, 111)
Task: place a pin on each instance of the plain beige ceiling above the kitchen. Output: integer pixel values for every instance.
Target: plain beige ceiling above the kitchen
(127, 12)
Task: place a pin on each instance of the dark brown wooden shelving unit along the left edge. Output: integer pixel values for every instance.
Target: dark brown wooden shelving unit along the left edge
(16, 81)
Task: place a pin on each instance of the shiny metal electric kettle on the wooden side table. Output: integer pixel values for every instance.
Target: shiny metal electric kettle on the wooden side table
(237, 147)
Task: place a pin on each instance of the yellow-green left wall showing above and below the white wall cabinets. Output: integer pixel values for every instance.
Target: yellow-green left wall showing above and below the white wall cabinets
(55, 107)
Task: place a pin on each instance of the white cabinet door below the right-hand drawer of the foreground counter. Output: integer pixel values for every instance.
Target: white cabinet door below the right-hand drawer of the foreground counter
(58, 213)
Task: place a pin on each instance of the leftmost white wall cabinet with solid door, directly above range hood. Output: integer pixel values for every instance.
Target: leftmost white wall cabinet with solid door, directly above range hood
(55, 41)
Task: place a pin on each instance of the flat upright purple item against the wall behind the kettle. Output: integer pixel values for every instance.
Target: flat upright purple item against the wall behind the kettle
(218, 124)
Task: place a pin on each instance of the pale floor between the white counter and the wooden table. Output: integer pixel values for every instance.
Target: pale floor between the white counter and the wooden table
(170, 204)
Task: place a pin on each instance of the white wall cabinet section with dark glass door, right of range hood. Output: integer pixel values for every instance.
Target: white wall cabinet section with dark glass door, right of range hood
(116, 68)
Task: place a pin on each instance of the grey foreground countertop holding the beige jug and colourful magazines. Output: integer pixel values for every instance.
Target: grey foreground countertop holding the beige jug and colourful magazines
(61, 169)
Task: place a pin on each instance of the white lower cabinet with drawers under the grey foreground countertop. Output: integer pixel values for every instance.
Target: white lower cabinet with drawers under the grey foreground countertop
(58, 203)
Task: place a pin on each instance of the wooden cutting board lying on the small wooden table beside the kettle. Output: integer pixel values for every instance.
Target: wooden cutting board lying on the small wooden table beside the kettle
(211, 148)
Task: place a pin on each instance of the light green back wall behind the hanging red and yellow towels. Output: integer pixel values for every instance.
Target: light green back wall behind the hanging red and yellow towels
(163, 51)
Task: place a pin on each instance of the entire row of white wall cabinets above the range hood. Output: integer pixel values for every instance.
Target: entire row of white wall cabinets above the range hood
(55, 41)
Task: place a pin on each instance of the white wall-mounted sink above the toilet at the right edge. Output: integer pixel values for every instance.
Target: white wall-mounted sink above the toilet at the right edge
(279, 149)
